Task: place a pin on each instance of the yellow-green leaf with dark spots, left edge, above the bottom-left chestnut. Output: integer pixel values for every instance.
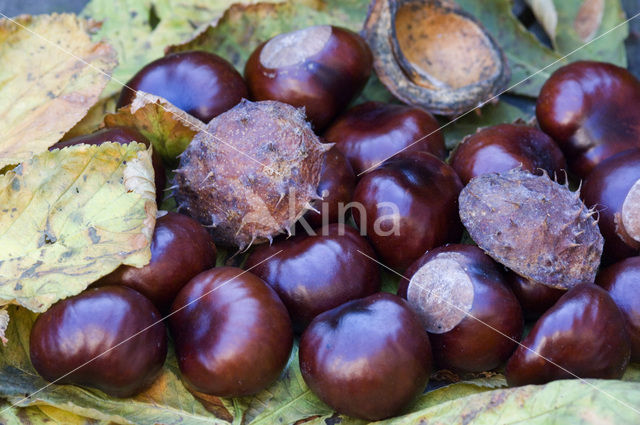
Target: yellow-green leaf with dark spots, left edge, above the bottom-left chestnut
(71, 216)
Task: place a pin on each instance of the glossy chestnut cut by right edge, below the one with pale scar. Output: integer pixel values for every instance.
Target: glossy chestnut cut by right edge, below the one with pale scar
(622, 281)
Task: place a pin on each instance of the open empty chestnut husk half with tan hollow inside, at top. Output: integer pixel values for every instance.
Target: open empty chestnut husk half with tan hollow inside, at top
(431, 53)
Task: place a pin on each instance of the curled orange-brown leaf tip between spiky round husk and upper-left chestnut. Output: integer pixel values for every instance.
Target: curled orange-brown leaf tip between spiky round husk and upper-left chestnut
(169, 128)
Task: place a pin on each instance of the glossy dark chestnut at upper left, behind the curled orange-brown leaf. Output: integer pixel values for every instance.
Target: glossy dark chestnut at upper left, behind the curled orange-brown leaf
(200, 83)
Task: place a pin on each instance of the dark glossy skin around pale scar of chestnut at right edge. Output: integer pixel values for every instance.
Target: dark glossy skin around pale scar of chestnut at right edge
(606, 189)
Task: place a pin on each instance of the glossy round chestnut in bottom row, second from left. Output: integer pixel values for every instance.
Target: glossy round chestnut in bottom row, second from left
(233, 334)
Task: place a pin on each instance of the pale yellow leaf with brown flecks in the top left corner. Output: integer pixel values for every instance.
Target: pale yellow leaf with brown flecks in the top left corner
(45, 91)
